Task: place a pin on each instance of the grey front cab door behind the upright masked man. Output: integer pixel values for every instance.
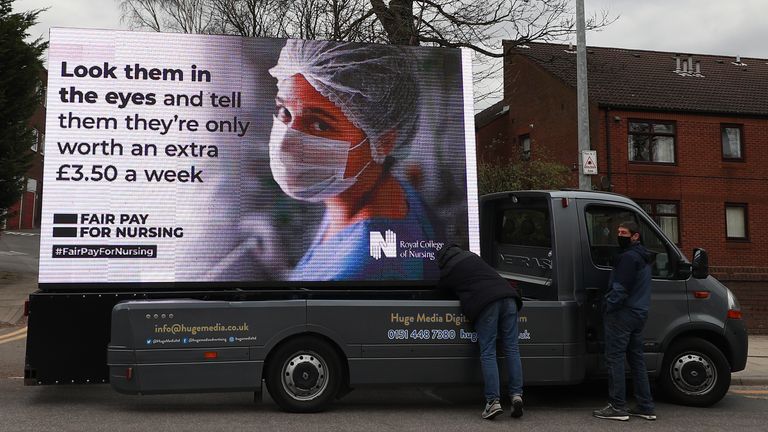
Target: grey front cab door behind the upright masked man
(599, 224)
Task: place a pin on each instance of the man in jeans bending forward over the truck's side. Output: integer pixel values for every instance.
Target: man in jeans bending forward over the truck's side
(492, 304)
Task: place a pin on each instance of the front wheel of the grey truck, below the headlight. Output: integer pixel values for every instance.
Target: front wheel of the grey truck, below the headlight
(695, 373)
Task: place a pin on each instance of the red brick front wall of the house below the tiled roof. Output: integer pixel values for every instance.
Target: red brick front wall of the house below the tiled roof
(701, 182)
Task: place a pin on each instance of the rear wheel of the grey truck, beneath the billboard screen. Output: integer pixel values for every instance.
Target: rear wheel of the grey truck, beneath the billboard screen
(304, 375)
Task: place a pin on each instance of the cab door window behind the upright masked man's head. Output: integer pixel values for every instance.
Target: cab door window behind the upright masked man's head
(602, 225)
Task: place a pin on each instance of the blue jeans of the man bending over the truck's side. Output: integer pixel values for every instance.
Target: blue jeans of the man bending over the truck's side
(499, 318)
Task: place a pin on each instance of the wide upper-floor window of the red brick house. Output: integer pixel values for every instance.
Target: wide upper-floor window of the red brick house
(651, 141)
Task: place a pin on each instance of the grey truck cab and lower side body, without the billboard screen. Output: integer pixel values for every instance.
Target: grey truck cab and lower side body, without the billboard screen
(312, 345)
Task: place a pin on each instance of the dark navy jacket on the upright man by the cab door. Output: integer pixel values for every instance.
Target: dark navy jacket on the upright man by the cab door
(629, 286)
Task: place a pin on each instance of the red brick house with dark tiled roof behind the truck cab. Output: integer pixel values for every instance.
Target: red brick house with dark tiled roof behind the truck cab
(685, 136)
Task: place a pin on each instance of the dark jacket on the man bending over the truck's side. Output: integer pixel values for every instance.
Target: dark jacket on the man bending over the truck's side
(476, 283)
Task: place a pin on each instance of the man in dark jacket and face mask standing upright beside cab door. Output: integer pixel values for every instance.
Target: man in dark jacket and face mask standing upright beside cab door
(626, 309)
